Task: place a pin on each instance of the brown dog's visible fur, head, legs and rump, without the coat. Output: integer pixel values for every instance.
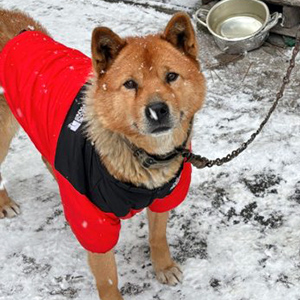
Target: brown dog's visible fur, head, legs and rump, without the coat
(145, 91)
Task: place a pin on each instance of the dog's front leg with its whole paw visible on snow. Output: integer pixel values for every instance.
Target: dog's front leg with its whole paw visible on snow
(167, 271)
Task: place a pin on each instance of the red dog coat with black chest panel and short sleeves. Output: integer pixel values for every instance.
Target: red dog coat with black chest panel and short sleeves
(42, 82)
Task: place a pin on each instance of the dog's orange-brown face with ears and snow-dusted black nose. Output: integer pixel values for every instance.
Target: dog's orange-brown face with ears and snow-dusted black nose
(148, 88)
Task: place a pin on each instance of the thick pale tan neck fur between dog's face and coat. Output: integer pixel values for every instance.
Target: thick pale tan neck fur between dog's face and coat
(118, 158)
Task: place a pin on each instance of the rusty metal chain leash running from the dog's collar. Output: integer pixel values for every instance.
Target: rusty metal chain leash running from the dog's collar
(201, 162)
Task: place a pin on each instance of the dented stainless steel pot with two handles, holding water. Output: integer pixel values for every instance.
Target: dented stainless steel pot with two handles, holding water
(238, 25)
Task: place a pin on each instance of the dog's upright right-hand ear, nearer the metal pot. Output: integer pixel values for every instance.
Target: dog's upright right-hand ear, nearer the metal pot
(181, 34)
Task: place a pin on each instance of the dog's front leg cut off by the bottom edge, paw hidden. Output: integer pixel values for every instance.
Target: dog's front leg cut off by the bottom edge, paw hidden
(104, 269)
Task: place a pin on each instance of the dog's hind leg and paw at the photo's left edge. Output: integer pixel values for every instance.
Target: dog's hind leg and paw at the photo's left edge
(8, 128)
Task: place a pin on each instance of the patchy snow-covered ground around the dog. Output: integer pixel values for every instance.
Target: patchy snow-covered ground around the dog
(237, 235)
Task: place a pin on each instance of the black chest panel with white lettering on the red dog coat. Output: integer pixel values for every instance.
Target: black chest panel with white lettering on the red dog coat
(77, 160)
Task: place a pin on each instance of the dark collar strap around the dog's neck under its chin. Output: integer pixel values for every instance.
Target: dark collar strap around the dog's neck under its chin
(157, 161)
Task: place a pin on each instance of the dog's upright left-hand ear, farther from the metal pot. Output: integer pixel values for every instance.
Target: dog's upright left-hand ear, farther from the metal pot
(106, 45)
